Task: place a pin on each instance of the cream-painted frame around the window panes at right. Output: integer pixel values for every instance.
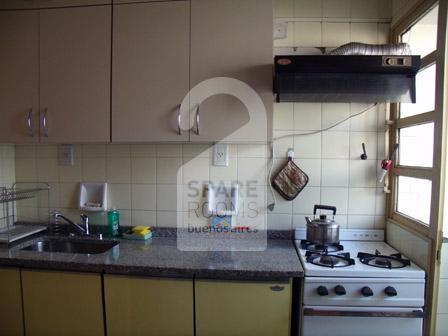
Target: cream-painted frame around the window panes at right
(432, 233)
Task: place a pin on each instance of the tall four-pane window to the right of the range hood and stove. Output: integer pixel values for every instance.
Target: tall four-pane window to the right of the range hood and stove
(414, 130)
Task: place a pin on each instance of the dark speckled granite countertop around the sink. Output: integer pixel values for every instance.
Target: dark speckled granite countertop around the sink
(160, 257)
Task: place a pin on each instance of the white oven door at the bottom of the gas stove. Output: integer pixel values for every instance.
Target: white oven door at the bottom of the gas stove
(365, 321)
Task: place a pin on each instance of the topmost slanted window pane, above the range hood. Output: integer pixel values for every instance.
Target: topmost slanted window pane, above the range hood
(422, 36)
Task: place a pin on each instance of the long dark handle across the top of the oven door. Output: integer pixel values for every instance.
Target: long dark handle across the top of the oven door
(354, 313)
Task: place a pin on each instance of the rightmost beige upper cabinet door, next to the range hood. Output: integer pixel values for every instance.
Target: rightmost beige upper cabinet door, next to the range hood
(233, 39)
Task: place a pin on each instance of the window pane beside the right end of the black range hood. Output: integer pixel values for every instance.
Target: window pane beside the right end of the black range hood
(426, 93)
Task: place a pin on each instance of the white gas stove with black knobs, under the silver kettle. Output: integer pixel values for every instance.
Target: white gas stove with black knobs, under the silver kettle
(361, 286)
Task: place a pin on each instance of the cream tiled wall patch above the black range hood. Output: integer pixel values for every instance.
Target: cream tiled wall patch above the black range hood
(331, 23)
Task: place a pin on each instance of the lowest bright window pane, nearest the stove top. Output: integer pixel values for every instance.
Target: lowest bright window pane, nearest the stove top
(414, 198)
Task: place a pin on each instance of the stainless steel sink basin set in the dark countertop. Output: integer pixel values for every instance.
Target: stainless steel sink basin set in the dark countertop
(71, 245)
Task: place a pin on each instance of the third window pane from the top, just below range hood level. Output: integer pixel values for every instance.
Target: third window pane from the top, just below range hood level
(416, 145)
